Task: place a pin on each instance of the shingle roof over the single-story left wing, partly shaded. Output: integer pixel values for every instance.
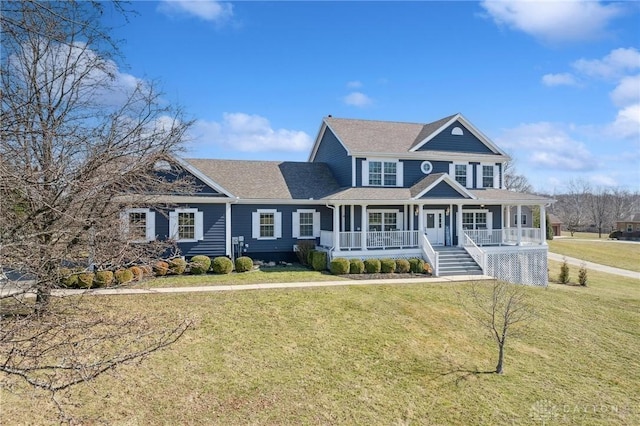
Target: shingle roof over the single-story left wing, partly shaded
(269, 179)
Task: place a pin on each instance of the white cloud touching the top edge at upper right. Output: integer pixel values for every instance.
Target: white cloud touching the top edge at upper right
(554, 21)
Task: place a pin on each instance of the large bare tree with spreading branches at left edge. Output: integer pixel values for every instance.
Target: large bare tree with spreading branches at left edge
(76, 136)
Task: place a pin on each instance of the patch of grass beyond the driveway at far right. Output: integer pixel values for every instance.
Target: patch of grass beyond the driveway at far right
(611, 253)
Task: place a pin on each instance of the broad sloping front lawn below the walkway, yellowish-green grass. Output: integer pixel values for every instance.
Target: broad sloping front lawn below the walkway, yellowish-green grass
(395, 354)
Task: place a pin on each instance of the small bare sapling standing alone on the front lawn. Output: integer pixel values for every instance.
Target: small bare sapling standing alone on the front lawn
(502, 309)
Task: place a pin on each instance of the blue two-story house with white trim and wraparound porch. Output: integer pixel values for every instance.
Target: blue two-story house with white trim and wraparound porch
(369, 189)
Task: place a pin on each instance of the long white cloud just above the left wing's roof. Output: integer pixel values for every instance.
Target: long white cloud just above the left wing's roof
(249, 133)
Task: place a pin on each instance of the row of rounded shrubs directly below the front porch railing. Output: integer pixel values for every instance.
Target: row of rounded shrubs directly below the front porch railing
(341, 266)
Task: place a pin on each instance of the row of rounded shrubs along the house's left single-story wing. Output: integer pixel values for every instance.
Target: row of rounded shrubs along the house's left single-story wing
(198, 265)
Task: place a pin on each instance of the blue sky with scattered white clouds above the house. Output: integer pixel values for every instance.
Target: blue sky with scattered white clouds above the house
(556, 84)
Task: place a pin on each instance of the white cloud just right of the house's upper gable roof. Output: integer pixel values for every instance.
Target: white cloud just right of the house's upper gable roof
(549, 146)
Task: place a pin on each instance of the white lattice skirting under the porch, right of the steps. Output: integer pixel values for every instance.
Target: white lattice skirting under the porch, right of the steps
(521, 267)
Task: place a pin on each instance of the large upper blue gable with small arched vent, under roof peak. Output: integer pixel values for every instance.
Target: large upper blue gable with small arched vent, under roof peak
(456, 138)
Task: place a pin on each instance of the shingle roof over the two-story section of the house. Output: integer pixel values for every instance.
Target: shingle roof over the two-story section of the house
(381, 136)
